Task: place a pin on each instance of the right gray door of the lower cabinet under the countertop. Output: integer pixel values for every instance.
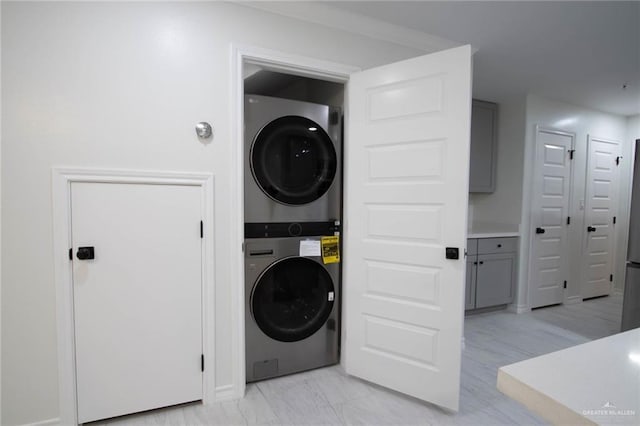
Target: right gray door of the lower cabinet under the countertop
(494, 279)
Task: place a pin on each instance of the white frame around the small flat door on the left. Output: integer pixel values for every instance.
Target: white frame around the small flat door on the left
(62, 178)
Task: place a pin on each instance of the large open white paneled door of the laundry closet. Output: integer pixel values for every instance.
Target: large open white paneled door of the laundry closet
(408, 127)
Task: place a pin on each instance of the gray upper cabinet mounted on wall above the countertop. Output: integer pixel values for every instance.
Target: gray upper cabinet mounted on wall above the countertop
(484, 129)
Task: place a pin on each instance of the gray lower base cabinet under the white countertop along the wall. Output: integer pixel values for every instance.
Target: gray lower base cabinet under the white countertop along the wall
(491, 272)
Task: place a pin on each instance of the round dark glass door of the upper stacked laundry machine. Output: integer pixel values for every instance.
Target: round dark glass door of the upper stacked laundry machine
(293, 160)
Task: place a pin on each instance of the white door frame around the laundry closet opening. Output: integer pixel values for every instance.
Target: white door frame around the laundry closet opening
(275, 61)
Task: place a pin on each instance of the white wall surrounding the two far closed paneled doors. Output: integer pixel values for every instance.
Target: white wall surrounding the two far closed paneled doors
(583, 122)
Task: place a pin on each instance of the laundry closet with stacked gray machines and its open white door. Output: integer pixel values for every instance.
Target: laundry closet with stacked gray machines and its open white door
(395, 317)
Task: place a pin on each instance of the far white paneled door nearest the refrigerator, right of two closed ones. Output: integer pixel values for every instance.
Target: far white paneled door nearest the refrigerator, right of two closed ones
(600, 210)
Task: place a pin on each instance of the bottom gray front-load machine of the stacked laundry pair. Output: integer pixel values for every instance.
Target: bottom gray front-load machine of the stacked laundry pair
(292, 319)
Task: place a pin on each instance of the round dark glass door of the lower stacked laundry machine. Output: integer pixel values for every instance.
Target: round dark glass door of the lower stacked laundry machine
(292, 299)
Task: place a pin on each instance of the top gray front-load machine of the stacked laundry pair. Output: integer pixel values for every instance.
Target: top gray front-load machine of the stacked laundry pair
(293, 161)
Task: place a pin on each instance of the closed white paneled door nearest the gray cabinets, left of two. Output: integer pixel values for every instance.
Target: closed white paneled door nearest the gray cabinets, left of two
(549, 260)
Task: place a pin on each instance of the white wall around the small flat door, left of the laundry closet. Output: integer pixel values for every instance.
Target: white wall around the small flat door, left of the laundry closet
(120, 85)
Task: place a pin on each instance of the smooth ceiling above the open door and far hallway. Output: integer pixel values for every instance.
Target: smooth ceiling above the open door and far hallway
(578, 52)
